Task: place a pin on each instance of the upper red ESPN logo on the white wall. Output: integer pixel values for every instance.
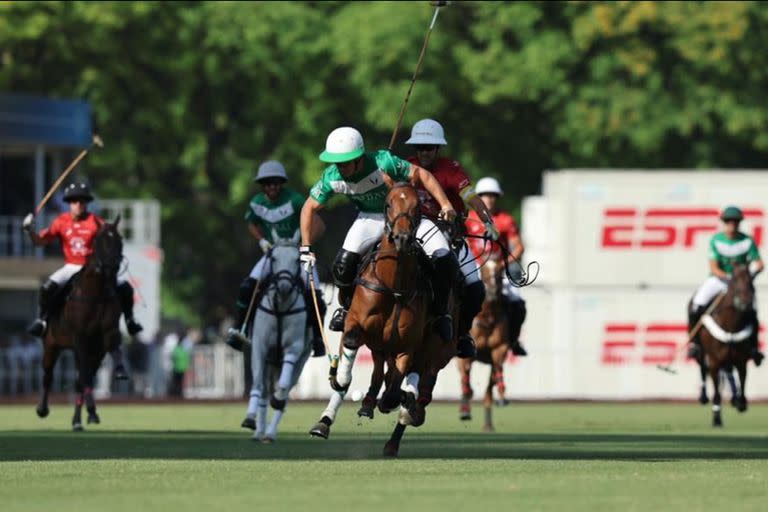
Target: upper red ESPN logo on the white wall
(663, 228)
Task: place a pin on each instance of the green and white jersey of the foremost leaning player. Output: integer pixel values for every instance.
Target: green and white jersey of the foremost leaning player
(365, 188)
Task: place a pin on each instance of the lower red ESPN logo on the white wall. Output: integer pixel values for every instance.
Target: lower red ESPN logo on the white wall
(657, 343)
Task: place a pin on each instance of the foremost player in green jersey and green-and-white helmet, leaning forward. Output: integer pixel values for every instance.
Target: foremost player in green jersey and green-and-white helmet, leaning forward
(358, 175)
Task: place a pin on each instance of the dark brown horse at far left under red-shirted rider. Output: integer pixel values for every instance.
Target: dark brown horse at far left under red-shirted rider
(88, 322)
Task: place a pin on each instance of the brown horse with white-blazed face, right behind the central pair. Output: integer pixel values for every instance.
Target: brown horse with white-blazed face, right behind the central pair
(491, 331)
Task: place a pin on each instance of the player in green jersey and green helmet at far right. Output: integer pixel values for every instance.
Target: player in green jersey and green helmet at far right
(726, 249)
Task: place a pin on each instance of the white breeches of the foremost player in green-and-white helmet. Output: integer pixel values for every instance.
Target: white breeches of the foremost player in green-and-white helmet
(368, 228)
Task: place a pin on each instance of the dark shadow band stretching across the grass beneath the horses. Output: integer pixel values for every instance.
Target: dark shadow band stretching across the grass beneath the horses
(142, 444)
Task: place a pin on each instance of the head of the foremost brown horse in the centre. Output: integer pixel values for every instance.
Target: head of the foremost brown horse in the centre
(402, 215)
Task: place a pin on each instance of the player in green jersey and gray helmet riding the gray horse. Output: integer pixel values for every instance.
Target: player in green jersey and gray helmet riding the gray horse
(273, 211)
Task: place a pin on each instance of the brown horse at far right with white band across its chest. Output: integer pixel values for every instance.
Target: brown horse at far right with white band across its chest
(724, 337)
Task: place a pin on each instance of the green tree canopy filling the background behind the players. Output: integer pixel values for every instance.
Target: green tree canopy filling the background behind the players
(191, 96)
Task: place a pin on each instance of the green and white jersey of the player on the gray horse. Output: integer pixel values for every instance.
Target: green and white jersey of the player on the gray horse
(282, 214)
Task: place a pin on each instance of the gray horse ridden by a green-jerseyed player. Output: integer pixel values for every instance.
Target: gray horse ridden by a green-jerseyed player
(280, 341)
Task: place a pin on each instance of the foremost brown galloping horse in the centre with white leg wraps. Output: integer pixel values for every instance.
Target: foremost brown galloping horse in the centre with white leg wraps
(389, 312)
